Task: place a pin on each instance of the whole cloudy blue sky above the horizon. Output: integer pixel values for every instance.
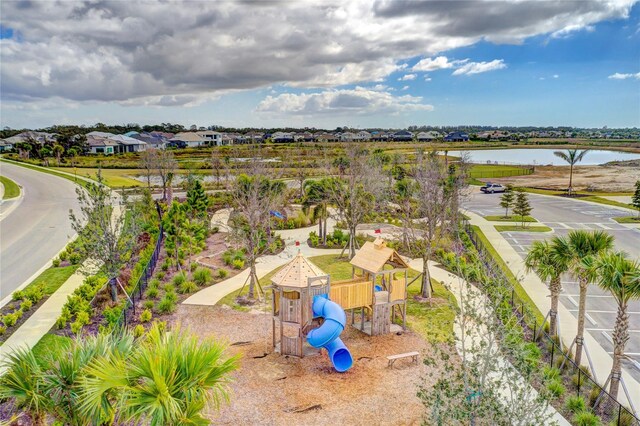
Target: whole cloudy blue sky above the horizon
(362, 64)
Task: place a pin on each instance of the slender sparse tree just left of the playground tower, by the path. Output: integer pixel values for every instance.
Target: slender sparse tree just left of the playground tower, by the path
(254, 197)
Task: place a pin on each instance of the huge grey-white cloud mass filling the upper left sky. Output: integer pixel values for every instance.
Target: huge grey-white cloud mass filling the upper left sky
(119, 51)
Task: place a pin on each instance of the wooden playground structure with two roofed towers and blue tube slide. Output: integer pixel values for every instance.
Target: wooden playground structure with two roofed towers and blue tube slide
(306, 304)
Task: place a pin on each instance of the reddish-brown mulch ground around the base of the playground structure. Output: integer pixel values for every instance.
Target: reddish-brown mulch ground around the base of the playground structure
(273, 389)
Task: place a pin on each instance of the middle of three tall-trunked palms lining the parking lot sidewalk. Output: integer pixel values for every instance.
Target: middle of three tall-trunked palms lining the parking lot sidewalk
(577, 249)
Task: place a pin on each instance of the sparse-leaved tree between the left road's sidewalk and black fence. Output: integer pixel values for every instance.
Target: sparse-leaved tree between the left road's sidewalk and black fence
(106, 233)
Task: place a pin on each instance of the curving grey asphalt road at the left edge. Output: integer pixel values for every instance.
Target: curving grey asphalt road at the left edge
(37, 229)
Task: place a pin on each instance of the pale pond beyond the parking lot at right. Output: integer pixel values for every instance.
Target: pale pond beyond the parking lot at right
(533, 156)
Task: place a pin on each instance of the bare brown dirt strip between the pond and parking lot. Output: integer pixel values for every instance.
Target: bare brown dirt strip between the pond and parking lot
(585, 178)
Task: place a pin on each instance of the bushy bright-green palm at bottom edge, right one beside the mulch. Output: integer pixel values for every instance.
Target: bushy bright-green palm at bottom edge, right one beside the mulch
(169, 379)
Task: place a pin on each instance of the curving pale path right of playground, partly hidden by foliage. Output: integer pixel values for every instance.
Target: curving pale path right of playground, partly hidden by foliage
(461, 289)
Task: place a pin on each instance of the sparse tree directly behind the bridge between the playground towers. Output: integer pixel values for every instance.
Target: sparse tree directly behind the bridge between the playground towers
(355, 192)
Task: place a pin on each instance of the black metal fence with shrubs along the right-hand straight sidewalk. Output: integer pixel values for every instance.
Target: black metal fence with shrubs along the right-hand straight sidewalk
(577, 381)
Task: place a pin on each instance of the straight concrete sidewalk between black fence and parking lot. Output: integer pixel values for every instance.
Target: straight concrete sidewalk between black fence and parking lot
(568, 324)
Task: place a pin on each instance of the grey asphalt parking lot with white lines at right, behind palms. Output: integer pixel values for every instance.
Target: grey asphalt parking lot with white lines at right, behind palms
(563, 215)
